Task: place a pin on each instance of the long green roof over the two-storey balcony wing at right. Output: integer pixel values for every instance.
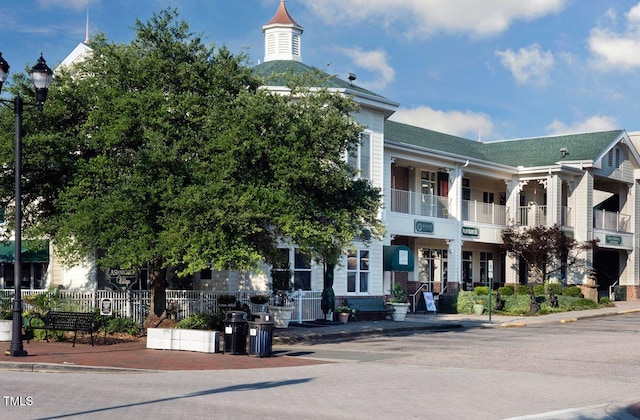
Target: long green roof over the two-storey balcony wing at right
(540, 151)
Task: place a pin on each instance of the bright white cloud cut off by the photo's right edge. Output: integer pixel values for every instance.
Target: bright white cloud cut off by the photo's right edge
(613, 49)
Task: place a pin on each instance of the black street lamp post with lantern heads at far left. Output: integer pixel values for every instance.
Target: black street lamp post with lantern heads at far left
(41, 75)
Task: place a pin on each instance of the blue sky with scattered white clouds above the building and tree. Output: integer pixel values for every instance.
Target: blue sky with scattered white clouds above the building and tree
(480, 69)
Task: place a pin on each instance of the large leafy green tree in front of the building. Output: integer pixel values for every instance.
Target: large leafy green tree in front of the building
(165, 152)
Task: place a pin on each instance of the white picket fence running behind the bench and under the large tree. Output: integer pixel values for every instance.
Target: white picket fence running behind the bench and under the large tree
(135, 304)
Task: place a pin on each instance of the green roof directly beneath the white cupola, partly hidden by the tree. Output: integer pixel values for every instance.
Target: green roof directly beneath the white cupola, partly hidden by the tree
(276, 72)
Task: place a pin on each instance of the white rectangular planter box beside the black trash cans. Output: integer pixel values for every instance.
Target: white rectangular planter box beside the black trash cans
(180, 339)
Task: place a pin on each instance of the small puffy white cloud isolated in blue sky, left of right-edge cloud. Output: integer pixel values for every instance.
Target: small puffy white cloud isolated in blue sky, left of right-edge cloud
(528, 65)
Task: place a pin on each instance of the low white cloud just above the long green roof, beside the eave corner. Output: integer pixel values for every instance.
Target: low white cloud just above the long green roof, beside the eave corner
(471, 125)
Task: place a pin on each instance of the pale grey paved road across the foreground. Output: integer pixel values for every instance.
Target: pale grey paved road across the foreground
(582, 370)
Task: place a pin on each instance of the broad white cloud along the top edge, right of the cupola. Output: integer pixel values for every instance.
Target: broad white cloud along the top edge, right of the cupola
(426, 17)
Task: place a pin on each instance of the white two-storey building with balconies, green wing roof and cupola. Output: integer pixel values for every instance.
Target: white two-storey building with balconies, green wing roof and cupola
(447, 199)
